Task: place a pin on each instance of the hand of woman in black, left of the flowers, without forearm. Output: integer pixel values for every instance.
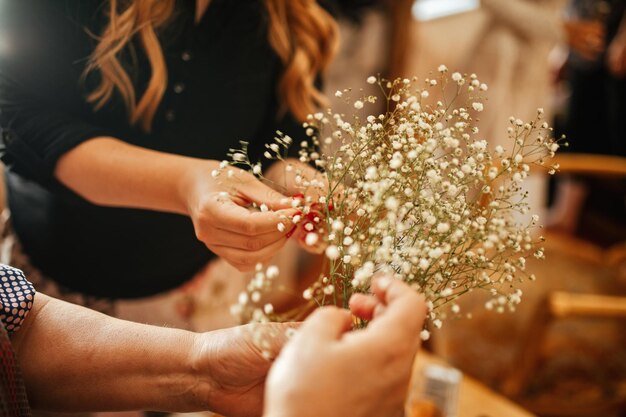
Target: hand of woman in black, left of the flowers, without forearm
(220, 209)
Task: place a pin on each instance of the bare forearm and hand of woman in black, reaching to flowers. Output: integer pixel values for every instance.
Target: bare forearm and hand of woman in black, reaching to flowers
(109, 172)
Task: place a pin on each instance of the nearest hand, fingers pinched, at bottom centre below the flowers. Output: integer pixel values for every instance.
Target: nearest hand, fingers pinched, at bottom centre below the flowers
(325, 370)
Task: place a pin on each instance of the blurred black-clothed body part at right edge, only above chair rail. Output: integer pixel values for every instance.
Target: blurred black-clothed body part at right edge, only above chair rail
(595, 72)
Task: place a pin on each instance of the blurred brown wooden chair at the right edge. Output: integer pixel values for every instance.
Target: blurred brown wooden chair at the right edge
(560, 305)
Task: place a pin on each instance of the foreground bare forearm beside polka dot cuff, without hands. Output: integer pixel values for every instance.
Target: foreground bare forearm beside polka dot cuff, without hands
(74, 359)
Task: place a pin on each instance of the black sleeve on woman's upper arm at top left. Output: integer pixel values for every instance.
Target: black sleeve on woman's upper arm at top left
(42, 109)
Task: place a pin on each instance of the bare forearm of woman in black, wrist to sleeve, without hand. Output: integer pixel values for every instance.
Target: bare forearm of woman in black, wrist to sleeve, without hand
(110, 172)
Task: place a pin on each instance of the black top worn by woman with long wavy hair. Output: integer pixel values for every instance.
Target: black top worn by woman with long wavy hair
(223, 78)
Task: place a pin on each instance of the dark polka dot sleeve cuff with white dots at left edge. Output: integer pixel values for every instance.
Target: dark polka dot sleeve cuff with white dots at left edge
(16, 297)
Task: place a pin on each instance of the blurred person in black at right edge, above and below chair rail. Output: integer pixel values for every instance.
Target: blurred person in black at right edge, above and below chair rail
(595, 73)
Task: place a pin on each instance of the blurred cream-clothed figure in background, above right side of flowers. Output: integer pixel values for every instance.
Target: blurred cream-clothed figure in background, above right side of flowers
(511, 57)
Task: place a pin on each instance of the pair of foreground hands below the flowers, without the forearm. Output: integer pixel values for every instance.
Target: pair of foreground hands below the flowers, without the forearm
(326, 369)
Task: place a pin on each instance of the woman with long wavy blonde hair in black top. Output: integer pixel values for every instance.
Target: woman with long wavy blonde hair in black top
(113, 116)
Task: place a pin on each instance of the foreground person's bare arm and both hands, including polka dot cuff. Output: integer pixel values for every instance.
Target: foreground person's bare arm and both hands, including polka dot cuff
(95, 362)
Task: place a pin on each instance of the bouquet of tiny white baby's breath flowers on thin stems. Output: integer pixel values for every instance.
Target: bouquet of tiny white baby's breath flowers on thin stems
(414, 192)
